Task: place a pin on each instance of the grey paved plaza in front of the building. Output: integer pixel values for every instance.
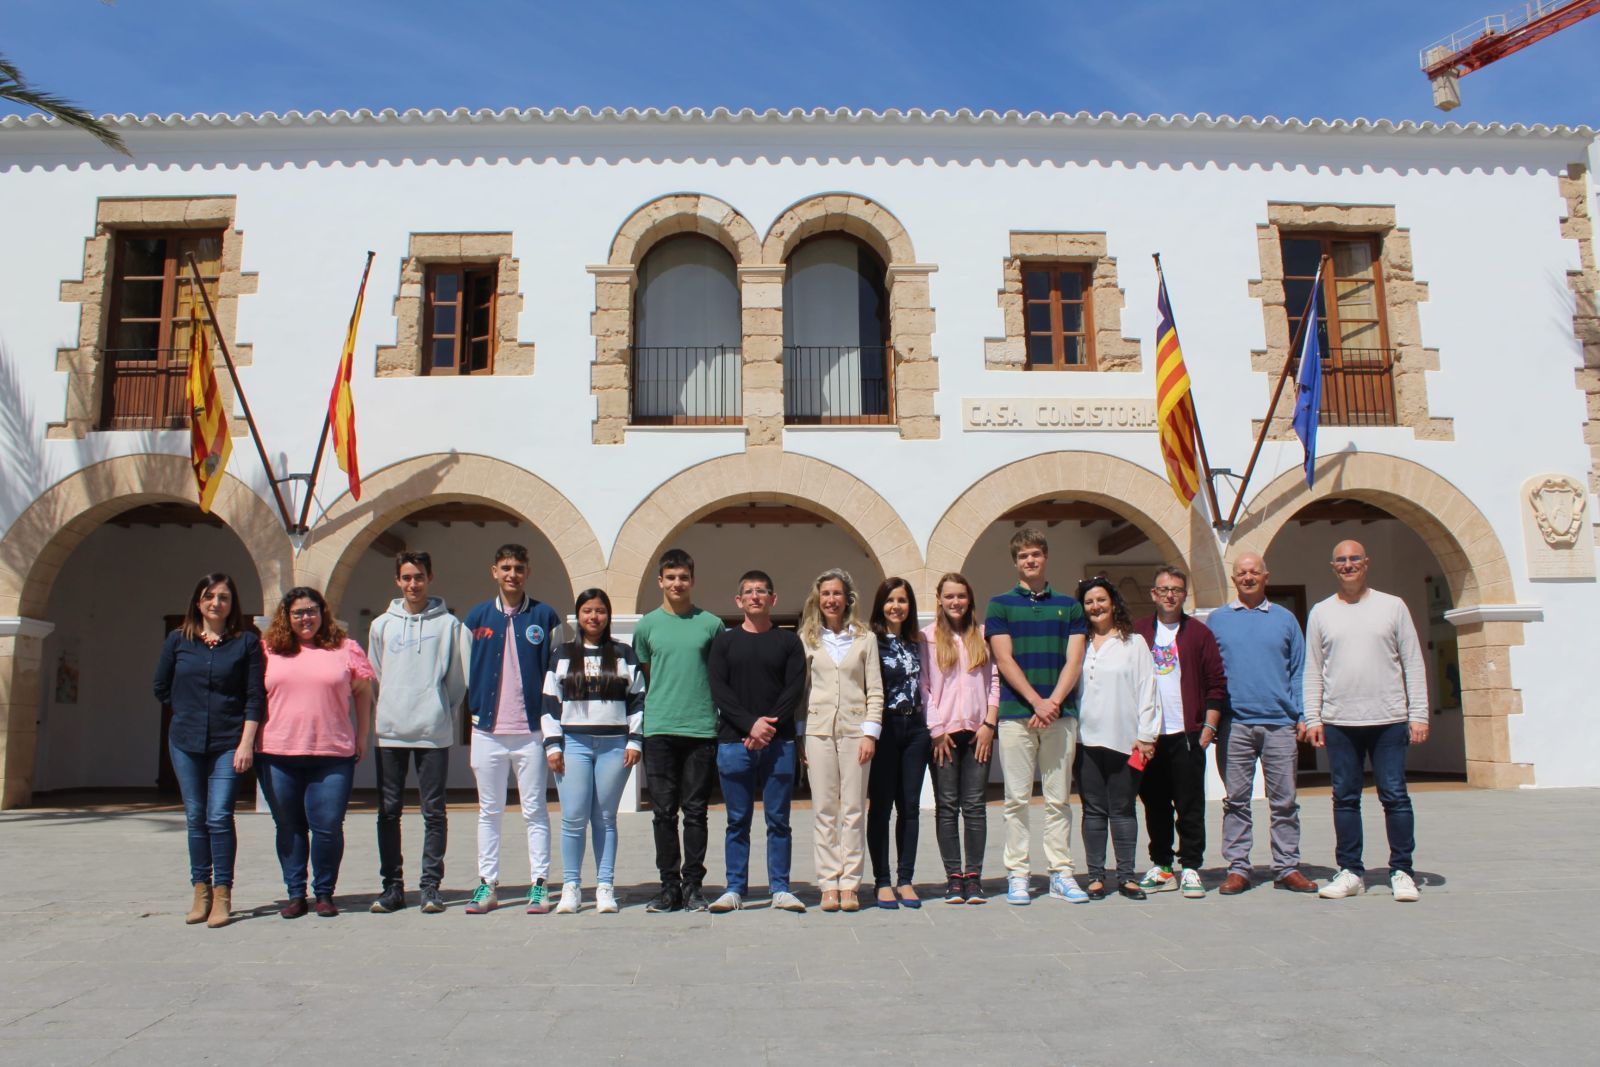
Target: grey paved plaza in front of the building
(1500, 962)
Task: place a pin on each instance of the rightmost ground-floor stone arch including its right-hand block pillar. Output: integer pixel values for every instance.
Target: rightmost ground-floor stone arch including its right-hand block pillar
(1474, 564)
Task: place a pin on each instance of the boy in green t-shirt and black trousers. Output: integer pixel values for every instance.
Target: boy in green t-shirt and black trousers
(681, 730)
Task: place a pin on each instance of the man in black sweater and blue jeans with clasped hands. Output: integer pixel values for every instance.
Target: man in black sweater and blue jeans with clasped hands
(758, 679)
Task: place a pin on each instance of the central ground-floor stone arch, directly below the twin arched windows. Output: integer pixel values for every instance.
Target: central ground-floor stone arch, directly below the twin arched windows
(758, 476)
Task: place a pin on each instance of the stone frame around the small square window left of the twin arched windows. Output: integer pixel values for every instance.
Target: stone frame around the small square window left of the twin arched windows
(406, 358)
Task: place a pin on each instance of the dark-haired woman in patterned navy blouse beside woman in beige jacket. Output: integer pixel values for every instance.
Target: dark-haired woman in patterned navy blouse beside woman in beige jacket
(902, 761)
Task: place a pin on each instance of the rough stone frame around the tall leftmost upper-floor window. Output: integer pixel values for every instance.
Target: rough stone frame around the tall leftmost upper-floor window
(84, 364)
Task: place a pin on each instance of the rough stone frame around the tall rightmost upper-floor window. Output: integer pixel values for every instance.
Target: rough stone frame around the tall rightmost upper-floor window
(1402, 294)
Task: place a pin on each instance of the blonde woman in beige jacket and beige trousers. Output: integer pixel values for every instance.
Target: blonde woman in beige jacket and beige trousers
(842, 722)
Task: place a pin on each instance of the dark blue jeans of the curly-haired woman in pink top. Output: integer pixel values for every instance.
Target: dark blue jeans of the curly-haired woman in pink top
(308, 796)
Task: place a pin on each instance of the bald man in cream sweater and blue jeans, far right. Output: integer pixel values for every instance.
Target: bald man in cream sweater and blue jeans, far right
(1366, 698)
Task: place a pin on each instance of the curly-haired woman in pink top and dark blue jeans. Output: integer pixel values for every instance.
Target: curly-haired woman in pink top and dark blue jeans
(308, 745)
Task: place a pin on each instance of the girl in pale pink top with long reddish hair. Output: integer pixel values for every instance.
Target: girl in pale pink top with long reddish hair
(962, 695)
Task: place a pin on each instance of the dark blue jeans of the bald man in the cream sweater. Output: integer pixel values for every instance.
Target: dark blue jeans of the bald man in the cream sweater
(1348, 751)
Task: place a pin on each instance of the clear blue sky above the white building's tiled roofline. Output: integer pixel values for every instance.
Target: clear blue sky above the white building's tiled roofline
(1356, 58)
